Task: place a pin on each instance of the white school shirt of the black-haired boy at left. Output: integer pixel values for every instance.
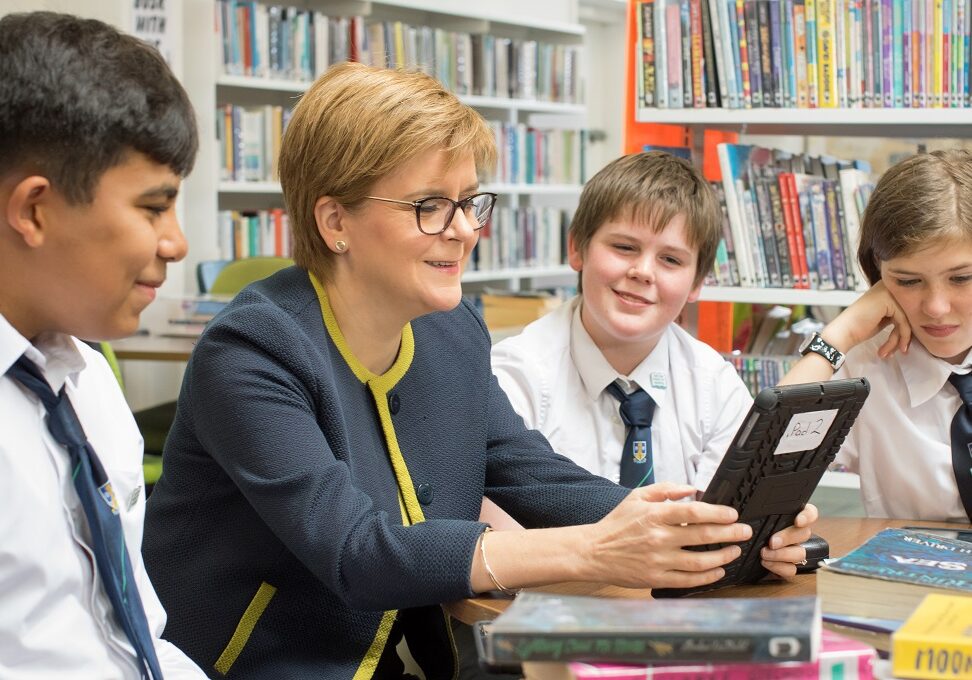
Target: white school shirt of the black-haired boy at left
(56, 620)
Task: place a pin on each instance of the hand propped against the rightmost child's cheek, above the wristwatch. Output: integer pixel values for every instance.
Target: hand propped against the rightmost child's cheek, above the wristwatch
(869, 314)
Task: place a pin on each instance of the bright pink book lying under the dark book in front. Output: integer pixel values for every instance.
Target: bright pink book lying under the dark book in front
(840, 657)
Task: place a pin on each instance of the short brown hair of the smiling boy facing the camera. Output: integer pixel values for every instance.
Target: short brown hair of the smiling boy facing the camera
(651, 188)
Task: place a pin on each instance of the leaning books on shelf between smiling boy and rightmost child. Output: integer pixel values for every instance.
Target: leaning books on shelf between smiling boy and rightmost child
(789, 220)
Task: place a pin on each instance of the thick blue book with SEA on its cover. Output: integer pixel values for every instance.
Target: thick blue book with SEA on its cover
(889, 575)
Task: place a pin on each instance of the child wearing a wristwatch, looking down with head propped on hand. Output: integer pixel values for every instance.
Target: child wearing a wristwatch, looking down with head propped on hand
(916, 250)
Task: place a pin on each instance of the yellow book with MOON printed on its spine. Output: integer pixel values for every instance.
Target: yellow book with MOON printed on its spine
(936, 640)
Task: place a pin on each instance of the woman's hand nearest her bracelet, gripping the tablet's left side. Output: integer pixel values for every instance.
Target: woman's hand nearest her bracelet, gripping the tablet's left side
(640, 543)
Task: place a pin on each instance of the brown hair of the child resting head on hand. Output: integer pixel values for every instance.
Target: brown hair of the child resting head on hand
(924, 199)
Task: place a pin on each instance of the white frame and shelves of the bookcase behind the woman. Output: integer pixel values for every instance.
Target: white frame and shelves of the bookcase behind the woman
(209, 191)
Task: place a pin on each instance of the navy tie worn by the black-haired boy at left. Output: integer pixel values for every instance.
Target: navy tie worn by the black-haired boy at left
(100, 509)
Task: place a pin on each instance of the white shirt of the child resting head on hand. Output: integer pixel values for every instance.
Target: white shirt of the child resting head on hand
(900, 444)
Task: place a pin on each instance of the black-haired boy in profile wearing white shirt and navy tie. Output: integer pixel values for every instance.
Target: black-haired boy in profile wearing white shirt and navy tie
(95, 136)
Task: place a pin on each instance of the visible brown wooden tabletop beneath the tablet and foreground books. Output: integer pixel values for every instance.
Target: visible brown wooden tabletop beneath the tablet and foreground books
(842, 533)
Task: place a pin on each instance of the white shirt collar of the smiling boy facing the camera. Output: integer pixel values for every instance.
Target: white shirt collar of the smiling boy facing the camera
(595, 371)
